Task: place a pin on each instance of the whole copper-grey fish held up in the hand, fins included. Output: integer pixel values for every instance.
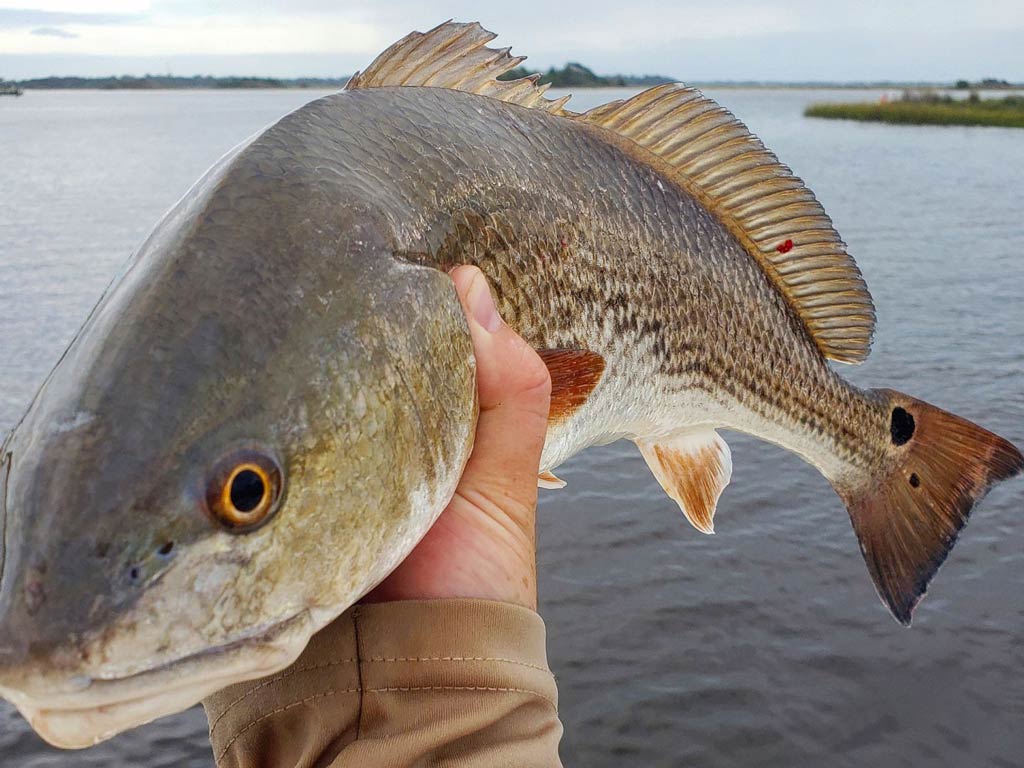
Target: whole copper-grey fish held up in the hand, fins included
(275, 402)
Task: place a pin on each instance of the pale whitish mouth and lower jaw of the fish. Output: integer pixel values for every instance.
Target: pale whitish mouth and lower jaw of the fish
(79, 713)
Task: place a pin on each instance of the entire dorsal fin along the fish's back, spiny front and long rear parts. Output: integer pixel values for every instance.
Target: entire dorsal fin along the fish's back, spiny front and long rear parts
(698, 145)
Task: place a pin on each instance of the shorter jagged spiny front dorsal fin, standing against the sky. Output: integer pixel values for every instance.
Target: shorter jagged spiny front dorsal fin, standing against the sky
(455, 56)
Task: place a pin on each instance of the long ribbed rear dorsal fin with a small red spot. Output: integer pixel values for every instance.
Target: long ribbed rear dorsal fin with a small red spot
(779, 221)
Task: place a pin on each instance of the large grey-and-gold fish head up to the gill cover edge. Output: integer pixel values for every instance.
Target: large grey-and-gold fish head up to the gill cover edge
(233, 451)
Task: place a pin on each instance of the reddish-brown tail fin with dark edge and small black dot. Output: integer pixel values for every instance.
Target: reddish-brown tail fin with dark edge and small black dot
(909, 515)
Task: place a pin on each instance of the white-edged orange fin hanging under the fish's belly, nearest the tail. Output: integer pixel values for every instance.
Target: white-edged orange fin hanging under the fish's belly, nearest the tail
(694, 467)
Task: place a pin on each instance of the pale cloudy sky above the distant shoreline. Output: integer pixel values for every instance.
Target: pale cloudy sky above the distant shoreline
(698, 41)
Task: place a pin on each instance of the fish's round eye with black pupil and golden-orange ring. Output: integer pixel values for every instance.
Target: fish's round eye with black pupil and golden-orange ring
(244, 491)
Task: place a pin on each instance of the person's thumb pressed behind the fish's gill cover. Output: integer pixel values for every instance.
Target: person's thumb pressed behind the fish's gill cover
(515, 393)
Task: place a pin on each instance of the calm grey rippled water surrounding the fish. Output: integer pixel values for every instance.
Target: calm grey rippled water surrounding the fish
(764, 646)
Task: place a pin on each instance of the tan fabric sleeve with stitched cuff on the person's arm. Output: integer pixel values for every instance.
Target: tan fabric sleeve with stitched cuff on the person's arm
(426, 684)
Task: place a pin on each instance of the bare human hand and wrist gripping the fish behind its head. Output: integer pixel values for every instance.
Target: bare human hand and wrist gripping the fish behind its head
(484, 545)
